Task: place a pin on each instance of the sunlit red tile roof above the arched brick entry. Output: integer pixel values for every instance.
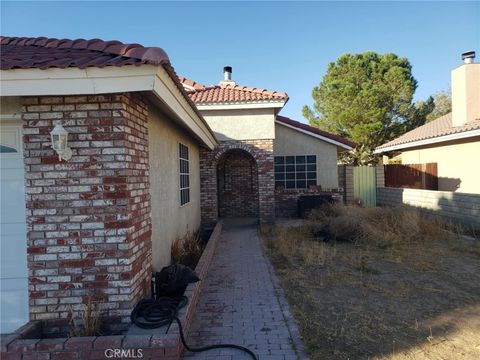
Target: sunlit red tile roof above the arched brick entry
(229, 93)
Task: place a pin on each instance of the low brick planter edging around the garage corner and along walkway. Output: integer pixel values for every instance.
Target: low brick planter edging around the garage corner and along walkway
(28, 342)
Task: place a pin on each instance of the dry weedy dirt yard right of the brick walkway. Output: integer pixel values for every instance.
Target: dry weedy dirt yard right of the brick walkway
(379, 284)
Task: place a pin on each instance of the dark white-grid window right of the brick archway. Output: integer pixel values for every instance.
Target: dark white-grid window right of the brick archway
(295, 172)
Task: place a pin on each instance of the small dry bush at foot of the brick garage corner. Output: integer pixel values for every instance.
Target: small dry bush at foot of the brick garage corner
(86, 322)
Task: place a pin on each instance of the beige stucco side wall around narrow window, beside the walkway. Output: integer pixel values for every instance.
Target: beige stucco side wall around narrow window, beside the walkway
(169, 219)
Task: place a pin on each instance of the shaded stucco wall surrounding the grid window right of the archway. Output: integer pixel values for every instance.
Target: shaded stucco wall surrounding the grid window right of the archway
(290, 142)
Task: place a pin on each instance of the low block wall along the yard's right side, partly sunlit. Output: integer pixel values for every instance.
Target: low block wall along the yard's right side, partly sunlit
(459, 207)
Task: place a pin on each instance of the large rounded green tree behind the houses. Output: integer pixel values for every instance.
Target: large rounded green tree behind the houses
(367, 98)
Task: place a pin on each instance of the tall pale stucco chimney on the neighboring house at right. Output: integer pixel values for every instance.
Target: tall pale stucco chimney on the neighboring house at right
(466, 91)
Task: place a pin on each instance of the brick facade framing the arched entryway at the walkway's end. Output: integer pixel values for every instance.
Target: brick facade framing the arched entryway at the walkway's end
(262, 152)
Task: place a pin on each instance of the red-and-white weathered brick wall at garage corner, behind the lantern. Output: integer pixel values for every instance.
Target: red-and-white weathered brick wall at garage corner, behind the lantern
(88, 219)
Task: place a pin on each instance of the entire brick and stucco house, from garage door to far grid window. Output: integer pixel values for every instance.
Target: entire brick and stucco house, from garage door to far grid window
(149, 157)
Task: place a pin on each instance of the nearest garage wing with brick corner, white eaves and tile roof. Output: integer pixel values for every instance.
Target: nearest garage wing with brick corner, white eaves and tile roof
(98, 223)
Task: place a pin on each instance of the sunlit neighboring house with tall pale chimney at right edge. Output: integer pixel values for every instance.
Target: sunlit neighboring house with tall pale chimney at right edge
(452, 141)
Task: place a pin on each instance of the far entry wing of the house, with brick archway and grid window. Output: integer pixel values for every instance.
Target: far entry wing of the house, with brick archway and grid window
(264, 161)
